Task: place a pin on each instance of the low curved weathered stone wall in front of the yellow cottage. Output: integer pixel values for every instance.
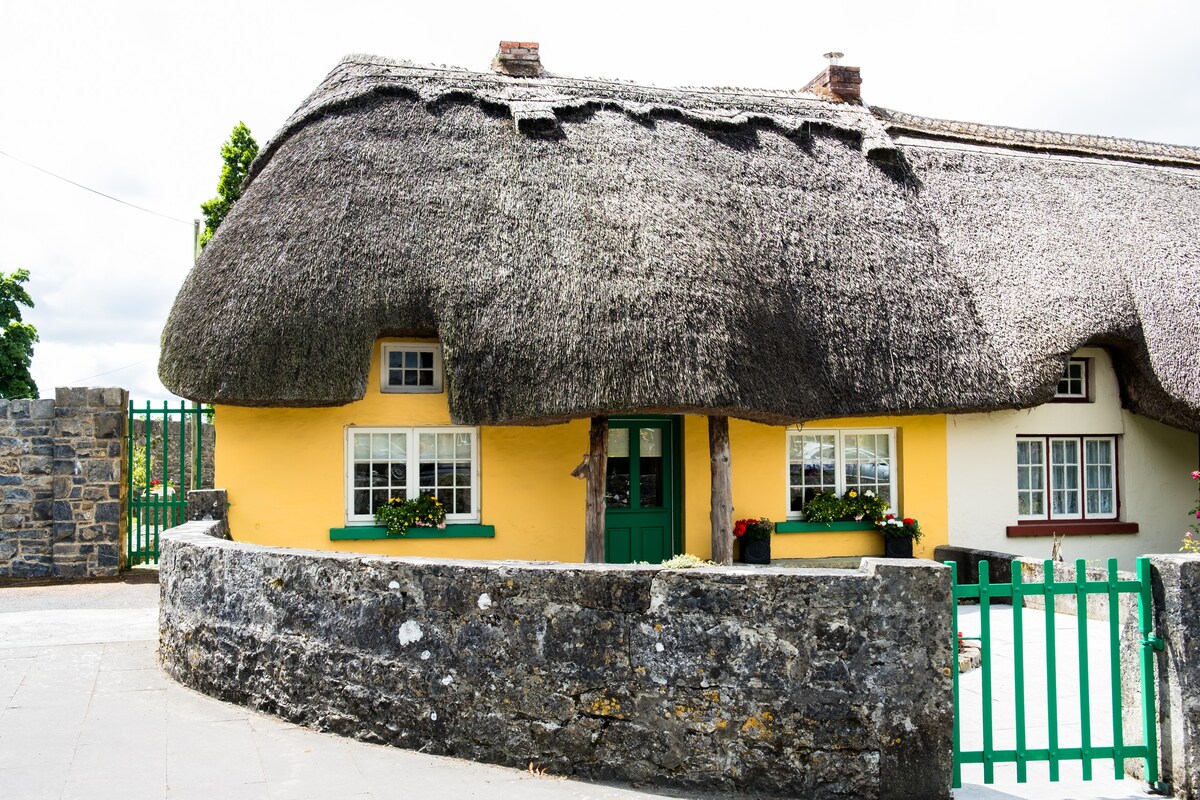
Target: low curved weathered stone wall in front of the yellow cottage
(772, 682)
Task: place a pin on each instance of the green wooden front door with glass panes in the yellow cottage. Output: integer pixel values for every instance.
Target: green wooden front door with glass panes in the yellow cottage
(643, 491)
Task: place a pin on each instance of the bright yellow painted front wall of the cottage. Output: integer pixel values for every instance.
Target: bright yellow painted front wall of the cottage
(285, 474)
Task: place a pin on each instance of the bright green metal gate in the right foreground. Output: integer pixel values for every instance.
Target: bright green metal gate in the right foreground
(1081, 588)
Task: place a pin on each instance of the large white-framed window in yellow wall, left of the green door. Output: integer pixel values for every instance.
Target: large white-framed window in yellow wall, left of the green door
(382, 464)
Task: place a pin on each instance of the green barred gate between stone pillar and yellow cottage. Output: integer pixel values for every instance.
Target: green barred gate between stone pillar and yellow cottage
(166, 460)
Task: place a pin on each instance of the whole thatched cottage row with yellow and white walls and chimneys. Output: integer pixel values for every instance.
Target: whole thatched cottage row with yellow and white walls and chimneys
(722, 302)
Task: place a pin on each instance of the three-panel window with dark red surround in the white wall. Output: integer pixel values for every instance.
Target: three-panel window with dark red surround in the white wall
(1067, 478)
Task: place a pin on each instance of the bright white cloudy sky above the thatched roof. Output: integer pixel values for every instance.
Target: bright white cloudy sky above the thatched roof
(135, 99)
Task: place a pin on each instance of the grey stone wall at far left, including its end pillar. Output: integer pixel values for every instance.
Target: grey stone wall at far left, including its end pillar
(61, 474)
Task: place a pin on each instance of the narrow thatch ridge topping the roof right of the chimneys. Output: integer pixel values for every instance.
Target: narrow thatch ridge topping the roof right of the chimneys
(899, 123)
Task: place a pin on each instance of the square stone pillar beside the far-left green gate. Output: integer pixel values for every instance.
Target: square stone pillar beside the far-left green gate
(89, 494)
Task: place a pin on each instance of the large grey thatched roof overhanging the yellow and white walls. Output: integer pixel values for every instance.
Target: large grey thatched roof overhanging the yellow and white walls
(590, 246)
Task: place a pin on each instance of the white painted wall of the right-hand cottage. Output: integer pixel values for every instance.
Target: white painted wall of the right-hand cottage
(1154, 474)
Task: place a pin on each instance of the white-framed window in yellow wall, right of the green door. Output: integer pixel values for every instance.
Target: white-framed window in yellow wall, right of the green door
(830, 460)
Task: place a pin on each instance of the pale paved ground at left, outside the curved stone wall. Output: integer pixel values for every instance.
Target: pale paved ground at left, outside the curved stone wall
(86, 713)
